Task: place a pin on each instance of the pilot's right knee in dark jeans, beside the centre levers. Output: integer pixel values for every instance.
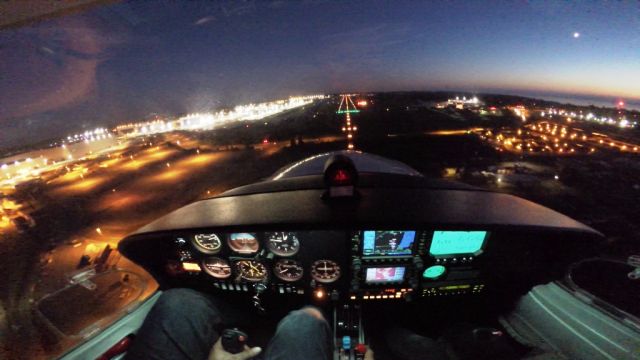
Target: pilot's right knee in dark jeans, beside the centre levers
(303, 334)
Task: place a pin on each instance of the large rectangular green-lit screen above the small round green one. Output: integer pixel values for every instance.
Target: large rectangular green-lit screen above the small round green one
(446, 243)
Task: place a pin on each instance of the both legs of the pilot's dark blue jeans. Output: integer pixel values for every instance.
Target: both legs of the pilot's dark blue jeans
(184, 324)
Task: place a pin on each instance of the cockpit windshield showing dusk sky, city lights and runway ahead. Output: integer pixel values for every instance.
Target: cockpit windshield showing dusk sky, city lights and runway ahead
(115, 113)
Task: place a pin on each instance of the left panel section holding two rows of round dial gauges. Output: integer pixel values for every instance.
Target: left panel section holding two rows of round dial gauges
(286, 261)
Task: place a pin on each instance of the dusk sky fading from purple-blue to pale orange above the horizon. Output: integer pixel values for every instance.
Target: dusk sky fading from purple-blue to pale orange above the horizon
(124, 61)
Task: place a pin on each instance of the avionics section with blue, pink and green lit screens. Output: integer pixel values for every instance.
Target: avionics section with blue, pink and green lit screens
(405, 264)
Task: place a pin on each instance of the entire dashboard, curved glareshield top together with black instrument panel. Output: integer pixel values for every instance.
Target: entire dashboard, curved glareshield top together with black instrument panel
(464, 242)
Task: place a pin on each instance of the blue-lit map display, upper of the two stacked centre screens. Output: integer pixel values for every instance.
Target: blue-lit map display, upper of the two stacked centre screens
(387, 243)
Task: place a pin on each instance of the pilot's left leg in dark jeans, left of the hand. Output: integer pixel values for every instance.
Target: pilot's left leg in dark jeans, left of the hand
(183, 324)
